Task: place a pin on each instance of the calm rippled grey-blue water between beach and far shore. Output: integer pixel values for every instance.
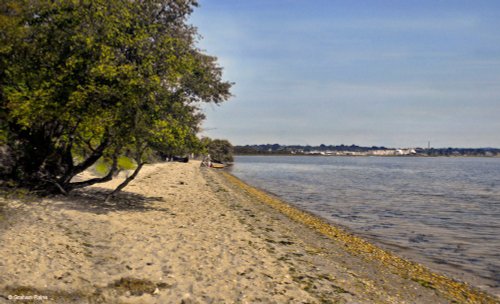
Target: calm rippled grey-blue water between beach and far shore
(442, 212)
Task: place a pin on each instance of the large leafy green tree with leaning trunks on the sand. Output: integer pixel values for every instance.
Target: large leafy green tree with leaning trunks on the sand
(92, 79)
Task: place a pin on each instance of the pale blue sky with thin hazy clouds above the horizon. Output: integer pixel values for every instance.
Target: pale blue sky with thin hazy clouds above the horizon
(392, 73)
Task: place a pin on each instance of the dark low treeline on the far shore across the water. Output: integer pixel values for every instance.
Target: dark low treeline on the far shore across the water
(277, 149)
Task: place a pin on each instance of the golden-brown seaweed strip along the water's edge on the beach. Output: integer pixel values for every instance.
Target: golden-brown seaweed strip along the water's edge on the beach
(455, 291)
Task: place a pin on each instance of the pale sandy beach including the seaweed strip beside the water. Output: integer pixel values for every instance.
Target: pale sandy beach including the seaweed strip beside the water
(184, 234)
